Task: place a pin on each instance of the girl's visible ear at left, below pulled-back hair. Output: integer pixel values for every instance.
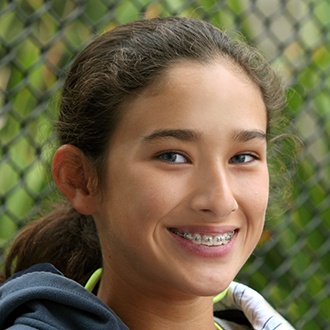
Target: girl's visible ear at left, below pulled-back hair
(76, 178)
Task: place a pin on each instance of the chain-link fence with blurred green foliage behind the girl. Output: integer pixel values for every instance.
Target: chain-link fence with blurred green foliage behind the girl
(39, 38)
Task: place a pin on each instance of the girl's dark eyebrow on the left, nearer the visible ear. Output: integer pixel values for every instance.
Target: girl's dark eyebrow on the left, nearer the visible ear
(185, 135)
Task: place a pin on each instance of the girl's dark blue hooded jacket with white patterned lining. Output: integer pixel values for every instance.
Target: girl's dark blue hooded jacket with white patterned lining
(42, 298)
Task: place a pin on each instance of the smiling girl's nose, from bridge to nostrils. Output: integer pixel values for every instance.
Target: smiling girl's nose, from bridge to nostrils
(213, 193)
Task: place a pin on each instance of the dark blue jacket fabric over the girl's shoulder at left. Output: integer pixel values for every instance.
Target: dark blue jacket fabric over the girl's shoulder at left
(41, 297)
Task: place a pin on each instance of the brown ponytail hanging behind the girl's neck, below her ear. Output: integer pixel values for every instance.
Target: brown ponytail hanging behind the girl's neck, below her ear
(64, 238)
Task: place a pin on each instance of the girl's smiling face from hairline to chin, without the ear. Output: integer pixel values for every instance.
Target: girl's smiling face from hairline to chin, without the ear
(186, 183)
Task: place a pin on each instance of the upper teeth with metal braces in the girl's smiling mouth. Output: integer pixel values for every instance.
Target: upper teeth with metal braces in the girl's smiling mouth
(208, 240)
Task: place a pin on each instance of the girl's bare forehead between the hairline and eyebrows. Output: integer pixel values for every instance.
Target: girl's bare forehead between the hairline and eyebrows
(192, 94)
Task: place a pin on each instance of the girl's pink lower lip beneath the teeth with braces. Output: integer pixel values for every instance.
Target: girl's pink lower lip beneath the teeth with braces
(200, 250)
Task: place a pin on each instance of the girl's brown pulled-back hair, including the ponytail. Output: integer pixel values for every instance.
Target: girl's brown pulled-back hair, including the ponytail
(107, 74)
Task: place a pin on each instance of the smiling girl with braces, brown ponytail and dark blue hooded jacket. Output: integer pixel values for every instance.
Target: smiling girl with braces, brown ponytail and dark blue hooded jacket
(163, 132)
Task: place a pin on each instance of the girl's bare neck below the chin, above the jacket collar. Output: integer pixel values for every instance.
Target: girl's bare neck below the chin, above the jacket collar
(139, 307)
